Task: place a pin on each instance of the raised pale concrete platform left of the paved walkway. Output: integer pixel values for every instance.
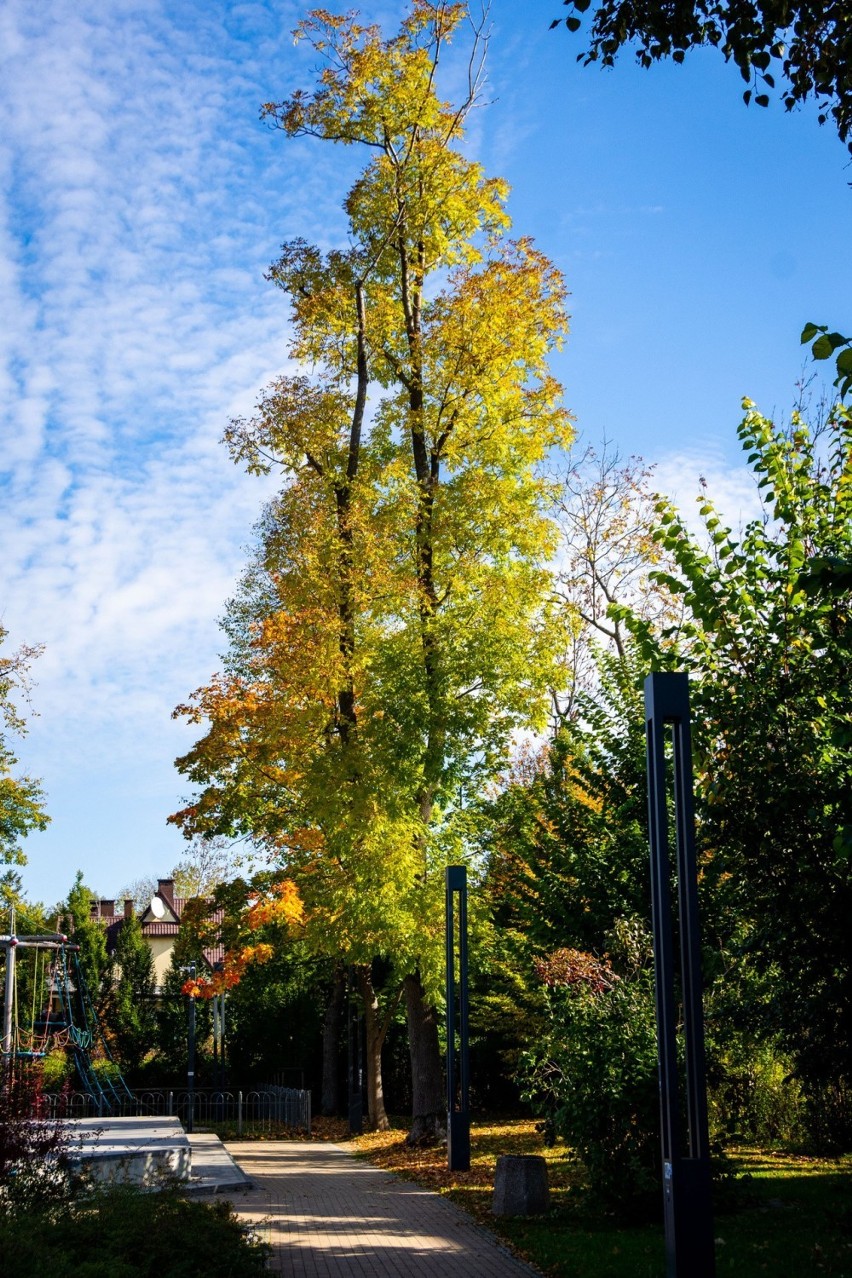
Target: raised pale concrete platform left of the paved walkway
(137, 1151)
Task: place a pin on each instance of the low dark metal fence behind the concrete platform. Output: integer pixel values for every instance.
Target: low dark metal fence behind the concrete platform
(262, 1110)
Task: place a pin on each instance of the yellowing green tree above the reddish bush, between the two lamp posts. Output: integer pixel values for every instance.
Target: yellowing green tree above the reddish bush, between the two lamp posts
(569, 842)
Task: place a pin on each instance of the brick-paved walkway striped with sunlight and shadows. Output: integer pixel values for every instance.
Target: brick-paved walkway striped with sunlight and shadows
(329, 1215)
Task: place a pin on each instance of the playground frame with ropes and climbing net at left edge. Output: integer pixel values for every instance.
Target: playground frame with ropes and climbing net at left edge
(62, 1015)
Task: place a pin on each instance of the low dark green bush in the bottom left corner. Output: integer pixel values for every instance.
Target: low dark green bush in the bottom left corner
(122, 1233)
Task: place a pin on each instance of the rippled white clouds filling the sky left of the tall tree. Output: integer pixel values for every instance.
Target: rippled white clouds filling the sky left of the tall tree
(142, 208)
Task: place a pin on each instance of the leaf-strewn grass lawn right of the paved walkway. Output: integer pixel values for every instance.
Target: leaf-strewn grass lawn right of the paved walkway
(795, 1217)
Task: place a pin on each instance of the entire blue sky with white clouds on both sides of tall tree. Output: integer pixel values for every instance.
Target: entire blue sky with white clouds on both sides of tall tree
(141, 203)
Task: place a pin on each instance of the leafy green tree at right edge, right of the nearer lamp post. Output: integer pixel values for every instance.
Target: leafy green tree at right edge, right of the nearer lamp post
(767, 637)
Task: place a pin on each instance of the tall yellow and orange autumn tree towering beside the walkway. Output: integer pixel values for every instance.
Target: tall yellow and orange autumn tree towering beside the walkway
(392, 633)
